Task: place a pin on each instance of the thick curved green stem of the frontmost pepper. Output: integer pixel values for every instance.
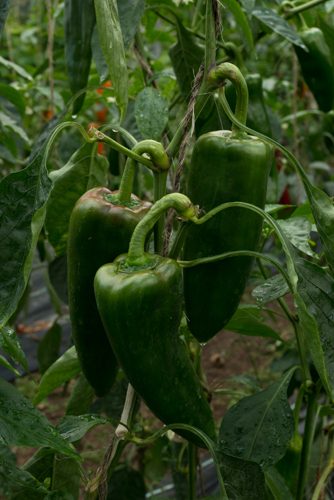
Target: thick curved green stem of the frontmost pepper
(179, 202)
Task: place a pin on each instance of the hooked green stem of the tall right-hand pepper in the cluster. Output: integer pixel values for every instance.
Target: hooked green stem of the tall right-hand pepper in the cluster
(228, 71)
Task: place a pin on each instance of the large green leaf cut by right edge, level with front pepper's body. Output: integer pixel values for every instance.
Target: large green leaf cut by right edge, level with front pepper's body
(315, 306)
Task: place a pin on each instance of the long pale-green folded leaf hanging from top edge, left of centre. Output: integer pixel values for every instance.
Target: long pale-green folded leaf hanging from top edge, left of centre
(111, 41)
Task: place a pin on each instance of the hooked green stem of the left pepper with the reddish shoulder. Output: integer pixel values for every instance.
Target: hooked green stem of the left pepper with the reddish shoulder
(157, 157)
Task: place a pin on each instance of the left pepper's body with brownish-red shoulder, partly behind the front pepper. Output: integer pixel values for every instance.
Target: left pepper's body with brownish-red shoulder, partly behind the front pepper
(99, 231)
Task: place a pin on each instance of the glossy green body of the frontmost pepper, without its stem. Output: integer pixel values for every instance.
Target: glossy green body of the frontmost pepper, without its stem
(141, 310)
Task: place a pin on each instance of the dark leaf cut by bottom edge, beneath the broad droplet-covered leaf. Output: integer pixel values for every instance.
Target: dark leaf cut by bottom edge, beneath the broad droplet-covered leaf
(243, 480)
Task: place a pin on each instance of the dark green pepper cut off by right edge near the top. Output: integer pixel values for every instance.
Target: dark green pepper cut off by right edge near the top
(317, 67)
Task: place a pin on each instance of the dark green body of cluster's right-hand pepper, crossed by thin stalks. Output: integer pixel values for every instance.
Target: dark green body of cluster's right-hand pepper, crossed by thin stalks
(224, 168)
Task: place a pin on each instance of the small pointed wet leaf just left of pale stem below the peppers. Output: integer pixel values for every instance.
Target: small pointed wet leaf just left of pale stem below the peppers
(74, 427)
